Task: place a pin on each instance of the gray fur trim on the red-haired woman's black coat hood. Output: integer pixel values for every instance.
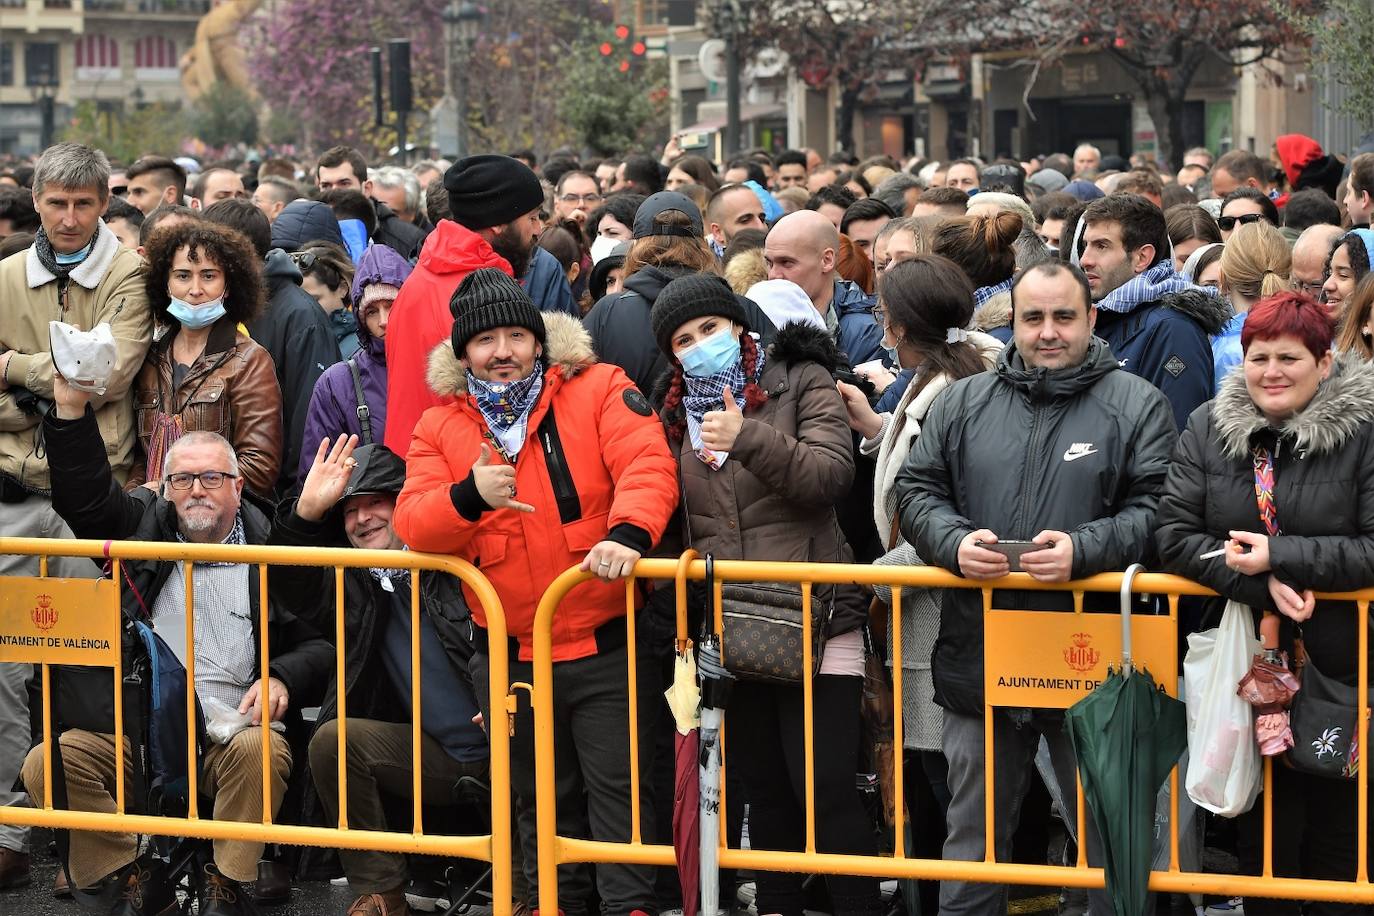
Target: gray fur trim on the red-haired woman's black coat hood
(1343, 404)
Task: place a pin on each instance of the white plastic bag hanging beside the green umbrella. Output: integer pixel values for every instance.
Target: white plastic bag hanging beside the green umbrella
(1225, 772)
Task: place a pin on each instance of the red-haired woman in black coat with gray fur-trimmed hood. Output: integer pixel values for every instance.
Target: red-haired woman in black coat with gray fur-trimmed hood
(1280, 472)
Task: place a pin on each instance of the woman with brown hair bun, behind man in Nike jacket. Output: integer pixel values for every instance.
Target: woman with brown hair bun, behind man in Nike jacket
(984, 249)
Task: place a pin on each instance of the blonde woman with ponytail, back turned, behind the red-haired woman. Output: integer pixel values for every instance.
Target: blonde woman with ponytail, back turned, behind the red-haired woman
(1255, 266)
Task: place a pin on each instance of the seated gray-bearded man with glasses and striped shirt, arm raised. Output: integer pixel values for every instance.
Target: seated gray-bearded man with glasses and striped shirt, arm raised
(200, 503)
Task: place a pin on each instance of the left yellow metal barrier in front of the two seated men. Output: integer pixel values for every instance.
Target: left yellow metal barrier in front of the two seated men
(54, 621)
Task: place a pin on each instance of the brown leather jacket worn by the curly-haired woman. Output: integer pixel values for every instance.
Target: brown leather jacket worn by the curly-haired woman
(232, 389)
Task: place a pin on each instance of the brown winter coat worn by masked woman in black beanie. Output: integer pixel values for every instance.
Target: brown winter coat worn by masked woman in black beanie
(793, 461)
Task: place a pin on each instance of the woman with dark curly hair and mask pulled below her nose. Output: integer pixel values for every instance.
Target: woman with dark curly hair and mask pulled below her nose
(204, 373)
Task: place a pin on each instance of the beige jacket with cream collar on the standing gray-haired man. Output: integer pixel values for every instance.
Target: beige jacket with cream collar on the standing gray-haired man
(106, 288)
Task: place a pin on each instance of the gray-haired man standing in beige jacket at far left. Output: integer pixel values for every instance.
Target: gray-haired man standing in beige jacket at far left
(76, 271)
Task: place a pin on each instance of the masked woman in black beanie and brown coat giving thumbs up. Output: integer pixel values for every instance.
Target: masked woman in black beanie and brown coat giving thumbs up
(765, 453)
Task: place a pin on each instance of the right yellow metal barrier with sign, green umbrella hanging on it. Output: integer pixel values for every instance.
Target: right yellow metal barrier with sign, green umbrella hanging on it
(1046, 660)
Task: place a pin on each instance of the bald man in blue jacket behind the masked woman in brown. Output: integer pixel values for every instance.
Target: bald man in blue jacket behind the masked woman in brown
(804, 248)
